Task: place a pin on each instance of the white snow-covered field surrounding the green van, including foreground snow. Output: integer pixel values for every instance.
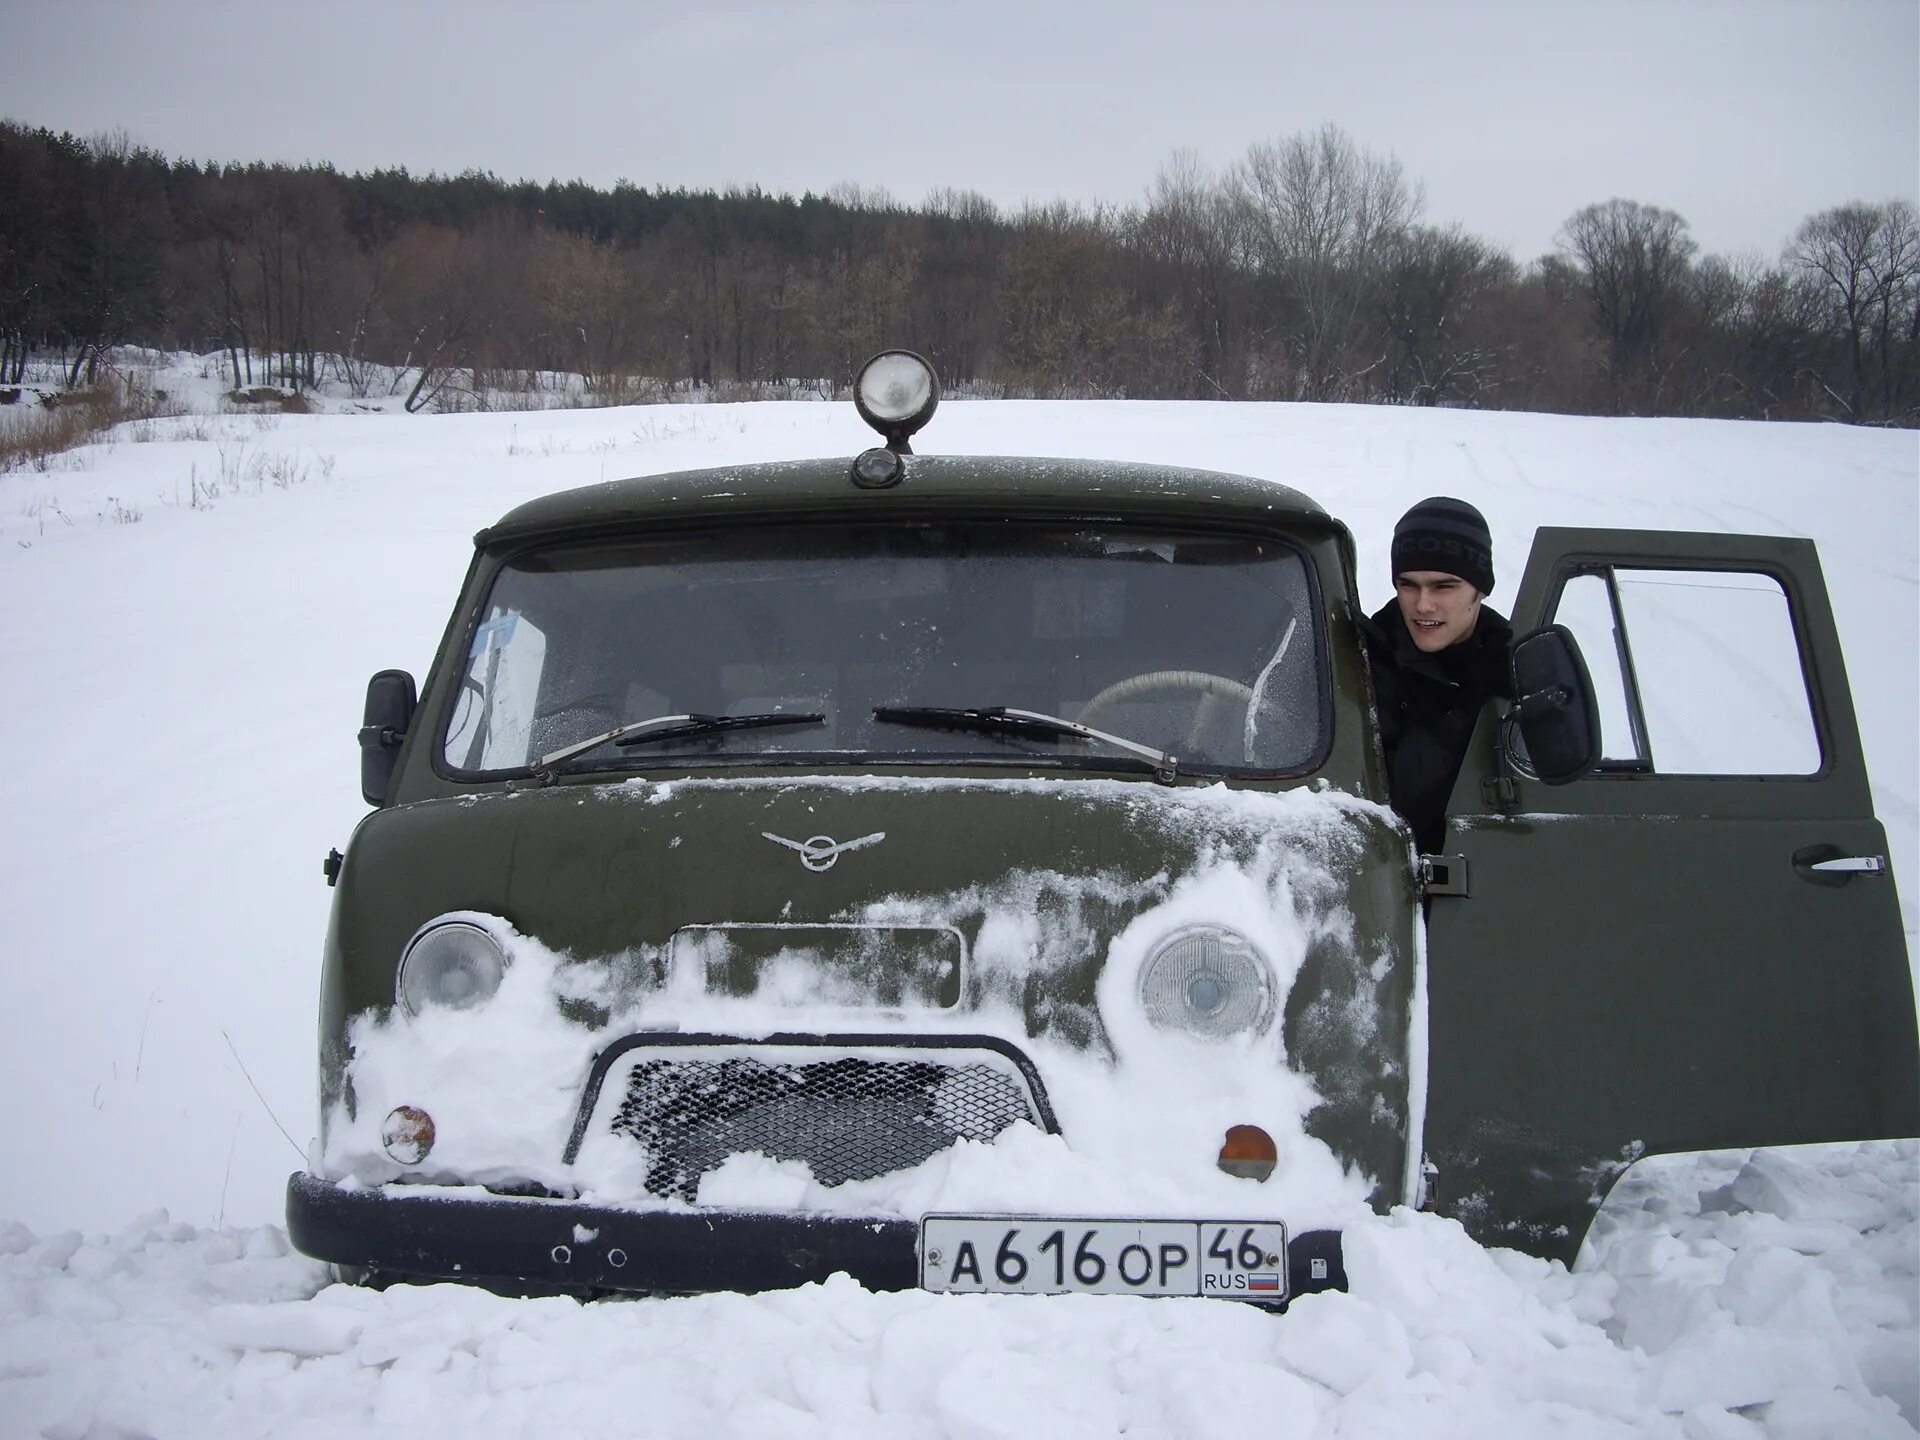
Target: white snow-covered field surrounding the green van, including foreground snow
(187, 621)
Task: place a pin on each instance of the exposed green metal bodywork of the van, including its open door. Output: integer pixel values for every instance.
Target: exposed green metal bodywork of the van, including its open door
(1648, 976)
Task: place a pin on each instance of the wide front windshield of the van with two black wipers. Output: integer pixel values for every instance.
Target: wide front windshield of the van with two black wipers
(1195, 644)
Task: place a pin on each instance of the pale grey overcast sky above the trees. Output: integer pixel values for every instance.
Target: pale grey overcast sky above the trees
(1744, 116)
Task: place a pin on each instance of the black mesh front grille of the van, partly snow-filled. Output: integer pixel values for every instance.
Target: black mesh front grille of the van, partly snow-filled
(848, 1118)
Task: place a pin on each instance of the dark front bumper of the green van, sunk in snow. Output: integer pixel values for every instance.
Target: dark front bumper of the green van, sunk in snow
(560, 1245)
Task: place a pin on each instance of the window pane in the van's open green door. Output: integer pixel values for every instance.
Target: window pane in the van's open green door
(1698, 673)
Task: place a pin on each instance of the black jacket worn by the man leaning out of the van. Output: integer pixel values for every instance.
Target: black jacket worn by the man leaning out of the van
(1429, 706)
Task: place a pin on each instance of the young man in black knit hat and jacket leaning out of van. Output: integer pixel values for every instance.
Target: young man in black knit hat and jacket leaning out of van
(1439, 654)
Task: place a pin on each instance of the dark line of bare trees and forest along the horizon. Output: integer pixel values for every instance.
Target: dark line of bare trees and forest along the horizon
(1301, 272)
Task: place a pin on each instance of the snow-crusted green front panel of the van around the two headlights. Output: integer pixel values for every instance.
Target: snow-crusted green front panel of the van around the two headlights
(1019, 909)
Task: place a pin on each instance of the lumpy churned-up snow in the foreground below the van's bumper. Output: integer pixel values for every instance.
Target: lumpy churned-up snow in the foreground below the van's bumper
(1700, 1314)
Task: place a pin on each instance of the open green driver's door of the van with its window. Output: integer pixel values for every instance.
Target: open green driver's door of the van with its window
(1698, 944)
